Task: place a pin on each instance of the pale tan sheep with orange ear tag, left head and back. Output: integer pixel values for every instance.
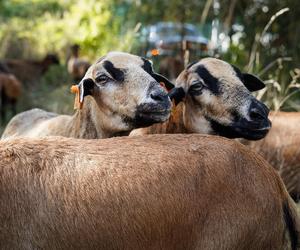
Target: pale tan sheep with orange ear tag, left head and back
(120, 92)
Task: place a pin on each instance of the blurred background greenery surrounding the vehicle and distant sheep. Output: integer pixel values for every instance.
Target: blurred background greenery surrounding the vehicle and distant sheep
(259, 40)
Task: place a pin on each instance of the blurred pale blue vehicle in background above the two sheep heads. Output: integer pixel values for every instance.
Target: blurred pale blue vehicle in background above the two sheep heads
(166, 43)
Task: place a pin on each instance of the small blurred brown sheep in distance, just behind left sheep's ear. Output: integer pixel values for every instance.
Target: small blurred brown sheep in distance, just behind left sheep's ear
(77, 67)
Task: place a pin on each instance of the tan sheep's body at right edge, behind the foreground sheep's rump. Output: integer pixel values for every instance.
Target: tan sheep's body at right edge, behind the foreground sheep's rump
(281, 147)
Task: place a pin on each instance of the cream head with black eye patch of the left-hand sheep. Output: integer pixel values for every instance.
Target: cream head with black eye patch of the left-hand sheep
(127, 90)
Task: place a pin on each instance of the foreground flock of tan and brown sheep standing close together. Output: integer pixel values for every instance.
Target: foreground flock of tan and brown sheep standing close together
(189, 185)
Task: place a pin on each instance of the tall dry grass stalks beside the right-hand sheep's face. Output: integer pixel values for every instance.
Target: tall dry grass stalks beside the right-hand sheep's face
(283, 84)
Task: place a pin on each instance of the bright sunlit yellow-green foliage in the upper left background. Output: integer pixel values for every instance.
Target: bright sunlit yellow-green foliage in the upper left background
(34, 28)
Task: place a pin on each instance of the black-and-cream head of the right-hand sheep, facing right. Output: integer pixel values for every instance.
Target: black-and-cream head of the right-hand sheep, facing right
(219, 101)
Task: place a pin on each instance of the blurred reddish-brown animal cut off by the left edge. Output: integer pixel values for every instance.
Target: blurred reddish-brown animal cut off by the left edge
(10, 91)
